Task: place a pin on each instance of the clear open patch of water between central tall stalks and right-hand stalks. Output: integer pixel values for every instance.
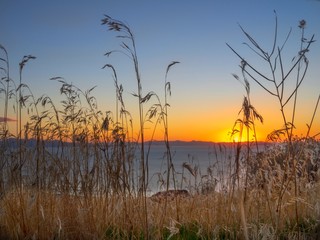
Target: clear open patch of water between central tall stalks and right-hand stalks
(194, 163)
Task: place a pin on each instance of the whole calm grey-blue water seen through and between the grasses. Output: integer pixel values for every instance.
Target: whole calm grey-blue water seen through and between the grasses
(197, 166)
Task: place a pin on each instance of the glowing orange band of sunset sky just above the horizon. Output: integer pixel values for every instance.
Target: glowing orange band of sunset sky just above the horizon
(214, 127)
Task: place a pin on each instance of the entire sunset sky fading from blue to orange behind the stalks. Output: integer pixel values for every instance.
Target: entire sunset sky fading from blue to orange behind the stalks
(69, 41)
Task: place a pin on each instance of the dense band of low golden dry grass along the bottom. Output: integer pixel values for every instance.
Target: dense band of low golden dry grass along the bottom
(33, 214)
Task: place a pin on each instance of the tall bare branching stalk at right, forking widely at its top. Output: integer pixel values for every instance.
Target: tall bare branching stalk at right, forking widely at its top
(279, 79)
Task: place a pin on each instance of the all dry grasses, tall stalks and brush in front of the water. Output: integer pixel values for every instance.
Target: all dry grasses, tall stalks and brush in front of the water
(77, 173)
